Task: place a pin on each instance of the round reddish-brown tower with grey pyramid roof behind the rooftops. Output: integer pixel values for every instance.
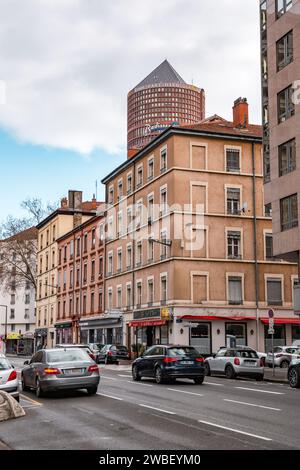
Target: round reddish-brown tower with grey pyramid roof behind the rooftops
(160, 100)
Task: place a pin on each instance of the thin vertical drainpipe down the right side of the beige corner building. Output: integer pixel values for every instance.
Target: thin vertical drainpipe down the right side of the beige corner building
(255, 245)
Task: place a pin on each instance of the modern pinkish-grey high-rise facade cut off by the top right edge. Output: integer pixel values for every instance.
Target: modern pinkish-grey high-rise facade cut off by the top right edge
(280, 56)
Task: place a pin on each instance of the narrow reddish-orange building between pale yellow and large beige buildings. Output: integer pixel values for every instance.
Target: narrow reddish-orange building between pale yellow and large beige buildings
(80, 293)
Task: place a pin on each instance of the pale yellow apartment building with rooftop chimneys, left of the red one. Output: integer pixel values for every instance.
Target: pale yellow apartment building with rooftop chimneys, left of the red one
(73, 212)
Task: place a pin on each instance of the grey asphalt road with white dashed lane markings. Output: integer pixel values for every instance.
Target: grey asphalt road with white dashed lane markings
(220, 414)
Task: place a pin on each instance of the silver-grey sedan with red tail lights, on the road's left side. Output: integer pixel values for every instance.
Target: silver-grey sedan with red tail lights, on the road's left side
(60, 369)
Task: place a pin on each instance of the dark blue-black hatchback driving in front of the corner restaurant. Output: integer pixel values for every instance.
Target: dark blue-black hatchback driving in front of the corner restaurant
(169, 363)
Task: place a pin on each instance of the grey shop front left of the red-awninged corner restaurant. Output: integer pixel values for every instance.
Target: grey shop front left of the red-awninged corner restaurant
(105, 329)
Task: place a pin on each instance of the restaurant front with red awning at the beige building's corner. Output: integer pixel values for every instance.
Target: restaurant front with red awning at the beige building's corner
(150, 327)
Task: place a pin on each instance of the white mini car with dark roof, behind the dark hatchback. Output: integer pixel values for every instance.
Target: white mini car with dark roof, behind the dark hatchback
(234, 362)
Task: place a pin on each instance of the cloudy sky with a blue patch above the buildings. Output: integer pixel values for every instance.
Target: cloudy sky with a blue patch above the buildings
(67, 66)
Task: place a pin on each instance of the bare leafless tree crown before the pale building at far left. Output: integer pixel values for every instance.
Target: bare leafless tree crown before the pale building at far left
(18, 245)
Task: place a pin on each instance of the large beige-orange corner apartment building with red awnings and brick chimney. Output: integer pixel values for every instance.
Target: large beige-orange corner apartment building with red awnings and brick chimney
(189, 244)
